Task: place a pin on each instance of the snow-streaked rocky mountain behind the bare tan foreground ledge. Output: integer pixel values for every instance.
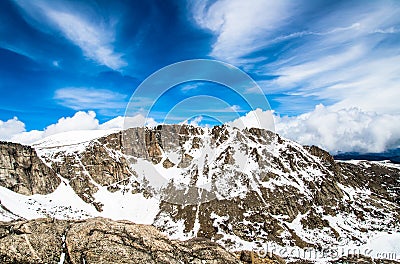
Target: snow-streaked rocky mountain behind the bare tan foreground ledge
(245, 189)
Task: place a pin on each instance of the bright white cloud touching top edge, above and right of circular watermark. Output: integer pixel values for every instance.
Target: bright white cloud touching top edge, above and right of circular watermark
(239, 25)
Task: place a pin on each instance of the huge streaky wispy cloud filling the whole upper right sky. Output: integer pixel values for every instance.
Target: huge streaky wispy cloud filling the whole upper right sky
(347, 55)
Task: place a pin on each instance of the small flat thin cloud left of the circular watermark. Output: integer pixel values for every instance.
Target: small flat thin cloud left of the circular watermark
(82, 98)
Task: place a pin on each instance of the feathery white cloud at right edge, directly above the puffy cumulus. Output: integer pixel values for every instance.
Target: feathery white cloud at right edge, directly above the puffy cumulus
(370, 84)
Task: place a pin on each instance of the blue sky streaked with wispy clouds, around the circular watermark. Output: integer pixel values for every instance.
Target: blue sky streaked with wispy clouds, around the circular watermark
(61, 57)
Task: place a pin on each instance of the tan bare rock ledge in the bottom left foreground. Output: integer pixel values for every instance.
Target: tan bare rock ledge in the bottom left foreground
(100, 240)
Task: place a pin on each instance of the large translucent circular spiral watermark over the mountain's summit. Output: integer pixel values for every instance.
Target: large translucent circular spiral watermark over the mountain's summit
(160, 89)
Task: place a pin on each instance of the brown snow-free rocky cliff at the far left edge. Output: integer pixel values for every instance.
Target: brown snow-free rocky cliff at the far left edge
(23, 172)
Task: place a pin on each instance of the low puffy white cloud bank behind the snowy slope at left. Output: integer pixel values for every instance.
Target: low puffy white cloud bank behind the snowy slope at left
(14, 130)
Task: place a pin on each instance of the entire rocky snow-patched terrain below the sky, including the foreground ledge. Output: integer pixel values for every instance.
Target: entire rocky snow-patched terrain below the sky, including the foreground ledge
(90, 196)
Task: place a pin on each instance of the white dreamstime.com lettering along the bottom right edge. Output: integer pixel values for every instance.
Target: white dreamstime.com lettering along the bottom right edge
(333, 252)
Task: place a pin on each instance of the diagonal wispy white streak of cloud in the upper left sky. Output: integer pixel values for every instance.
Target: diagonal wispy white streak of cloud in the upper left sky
(92, 34)
